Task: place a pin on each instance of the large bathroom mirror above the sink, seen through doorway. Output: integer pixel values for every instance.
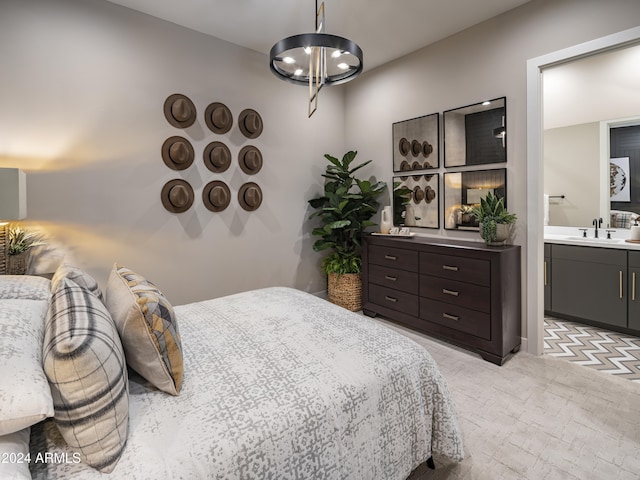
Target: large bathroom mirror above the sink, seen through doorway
(587, 104)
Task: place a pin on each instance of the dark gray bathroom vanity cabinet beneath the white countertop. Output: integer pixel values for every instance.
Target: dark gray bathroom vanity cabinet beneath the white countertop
(595, 285)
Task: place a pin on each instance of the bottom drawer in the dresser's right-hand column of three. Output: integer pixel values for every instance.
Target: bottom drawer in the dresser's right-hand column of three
(459, 318)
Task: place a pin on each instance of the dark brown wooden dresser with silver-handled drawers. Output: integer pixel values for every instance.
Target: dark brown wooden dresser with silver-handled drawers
(463, 292)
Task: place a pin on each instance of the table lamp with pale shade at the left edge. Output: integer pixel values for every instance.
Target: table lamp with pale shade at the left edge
(13, 206)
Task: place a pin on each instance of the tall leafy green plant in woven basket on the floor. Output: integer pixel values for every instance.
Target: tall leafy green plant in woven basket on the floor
(345, 211)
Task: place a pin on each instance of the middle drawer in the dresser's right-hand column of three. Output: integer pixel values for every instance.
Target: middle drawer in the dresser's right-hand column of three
(468, 295)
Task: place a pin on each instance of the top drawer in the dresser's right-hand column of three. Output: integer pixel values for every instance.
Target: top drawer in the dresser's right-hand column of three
(462, 269)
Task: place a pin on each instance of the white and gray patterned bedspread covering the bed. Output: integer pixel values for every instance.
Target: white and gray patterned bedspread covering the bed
(280, 385)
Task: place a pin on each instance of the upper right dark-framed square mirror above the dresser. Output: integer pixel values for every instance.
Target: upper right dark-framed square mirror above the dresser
(476, 134)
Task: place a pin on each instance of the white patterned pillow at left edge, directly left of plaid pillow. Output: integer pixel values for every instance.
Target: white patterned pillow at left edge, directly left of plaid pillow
(25, 396)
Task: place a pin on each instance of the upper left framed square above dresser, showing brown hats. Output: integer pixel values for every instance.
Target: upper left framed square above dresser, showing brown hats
(416, 143)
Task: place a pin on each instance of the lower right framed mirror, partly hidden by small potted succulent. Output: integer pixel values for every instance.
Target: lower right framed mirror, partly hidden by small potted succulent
(463, 191)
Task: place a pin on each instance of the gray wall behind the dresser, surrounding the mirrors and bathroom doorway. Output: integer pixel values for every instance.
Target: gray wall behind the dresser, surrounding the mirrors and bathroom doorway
(483, 62)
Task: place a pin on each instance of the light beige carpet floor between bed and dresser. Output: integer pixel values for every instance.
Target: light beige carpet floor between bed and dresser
(536, 417)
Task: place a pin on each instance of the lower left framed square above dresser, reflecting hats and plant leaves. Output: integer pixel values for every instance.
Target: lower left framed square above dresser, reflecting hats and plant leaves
(416, 201)
